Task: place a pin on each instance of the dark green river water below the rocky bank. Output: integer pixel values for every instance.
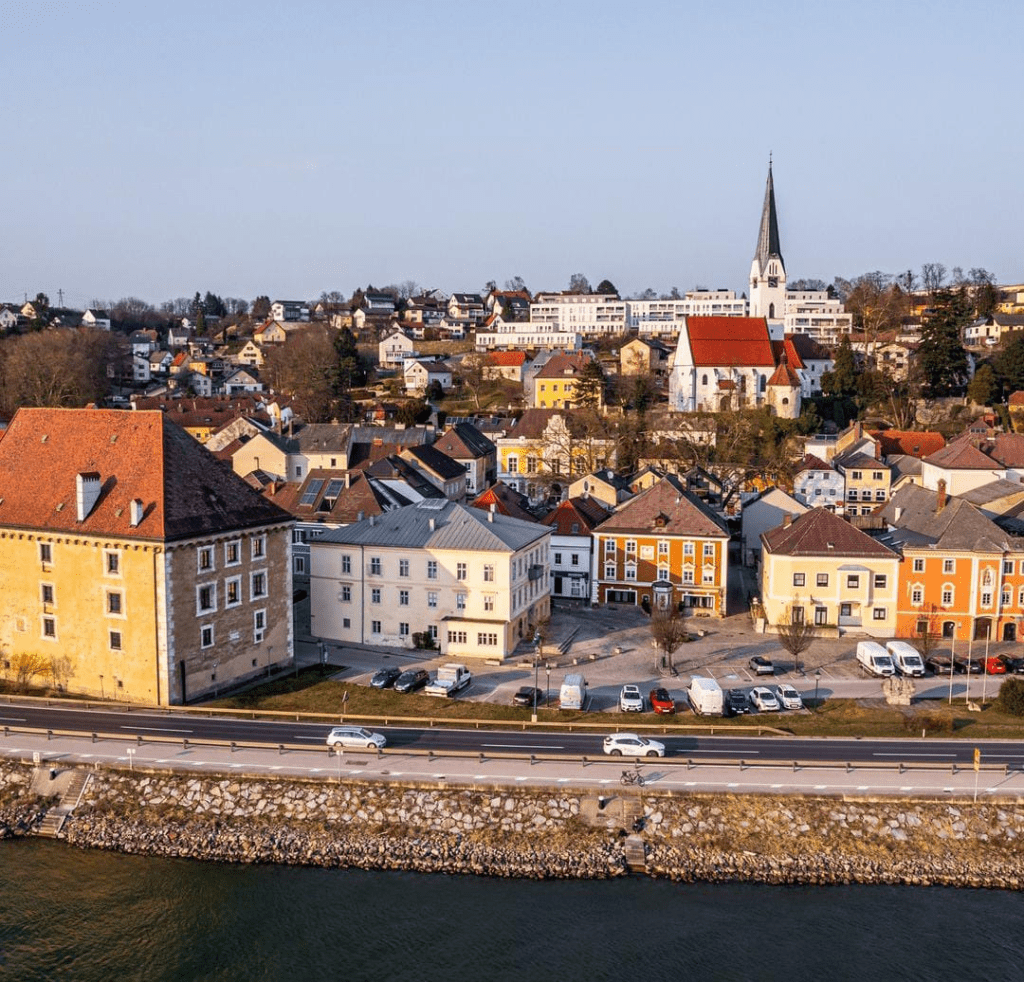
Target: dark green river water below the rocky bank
(89, 917)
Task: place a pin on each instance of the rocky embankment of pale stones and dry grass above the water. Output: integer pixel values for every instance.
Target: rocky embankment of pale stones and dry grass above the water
(539, 834)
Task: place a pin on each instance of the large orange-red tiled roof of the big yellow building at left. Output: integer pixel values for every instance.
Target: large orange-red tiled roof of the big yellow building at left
(184, 490)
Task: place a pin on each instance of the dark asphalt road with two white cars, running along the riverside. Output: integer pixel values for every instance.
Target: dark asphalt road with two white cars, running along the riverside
(146, 727)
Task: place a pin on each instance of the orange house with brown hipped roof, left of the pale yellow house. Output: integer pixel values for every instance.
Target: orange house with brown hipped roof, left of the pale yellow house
(663, 548)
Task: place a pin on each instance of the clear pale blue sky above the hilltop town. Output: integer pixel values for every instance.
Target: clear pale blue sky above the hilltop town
(290, 149)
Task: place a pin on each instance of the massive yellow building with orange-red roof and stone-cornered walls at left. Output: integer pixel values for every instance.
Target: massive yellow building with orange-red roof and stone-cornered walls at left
(133, 565)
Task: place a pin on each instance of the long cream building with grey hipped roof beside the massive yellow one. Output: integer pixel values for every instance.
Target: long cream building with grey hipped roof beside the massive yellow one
(475, 581)
